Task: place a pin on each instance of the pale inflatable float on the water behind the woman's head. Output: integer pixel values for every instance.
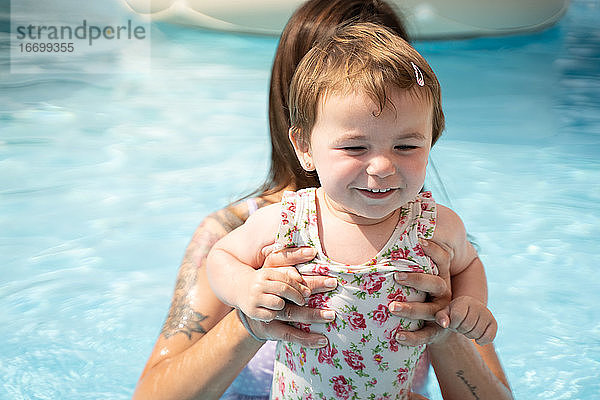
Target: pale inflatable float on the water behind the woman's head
(431, 19)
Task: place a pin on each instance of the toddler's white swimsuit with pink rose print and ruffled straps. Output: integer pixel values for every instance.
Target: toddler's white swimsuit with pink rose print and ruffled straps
(363, 360)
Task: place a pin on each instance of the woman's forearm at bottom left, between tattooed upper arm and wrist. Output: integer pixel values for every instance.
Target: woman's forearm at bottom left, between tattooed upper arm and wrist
(205, 370)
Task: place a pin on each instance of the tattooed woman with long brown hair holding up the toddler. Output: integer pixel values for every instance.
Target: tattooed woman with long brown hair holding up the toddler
(204, 346)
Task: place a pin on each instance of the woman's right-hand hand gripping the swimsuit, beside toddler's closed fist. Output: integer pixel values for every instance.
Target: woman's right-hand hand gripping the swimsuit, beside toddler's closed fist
(438, 288)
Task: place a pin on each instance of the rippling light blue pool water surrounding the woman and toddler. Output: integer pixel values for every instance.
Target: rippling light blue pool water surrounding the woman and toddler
(103, 178)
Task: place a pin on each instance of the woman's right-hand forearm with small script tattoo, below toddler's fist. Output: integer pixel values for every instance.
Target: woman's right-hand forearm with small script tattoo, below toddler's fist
(462, 372)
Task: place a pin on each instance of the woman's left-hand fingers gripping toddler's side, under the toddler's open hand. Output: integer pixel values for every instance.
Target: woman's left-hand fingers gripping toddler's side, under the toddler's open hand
(278, 329)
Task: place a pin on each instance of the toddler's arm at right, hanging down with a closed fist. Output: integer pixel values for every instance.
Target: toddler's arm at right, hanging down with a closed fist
(467, 312)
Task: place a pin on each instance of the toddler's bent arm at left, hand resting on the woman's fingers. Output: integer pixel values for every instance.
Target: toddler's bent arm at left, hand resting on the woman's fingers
(232, 268)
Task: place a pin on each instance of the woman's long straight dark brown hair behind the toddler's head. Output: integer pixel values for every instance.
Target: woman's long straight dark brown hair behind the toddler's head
(313, 21)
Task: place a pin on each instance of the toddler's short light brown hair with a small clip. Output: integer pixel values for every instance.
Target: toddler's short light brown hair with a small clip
(360, 57)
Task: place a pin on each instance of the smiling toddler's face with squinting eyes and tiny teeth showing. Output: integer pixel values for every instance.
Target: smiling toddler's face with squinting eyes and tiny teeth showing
(370, 165)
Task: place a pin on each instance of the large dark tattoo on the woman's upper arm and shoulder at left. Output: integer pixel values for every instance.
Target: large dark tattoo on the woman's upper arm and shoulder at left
(182, 317)
